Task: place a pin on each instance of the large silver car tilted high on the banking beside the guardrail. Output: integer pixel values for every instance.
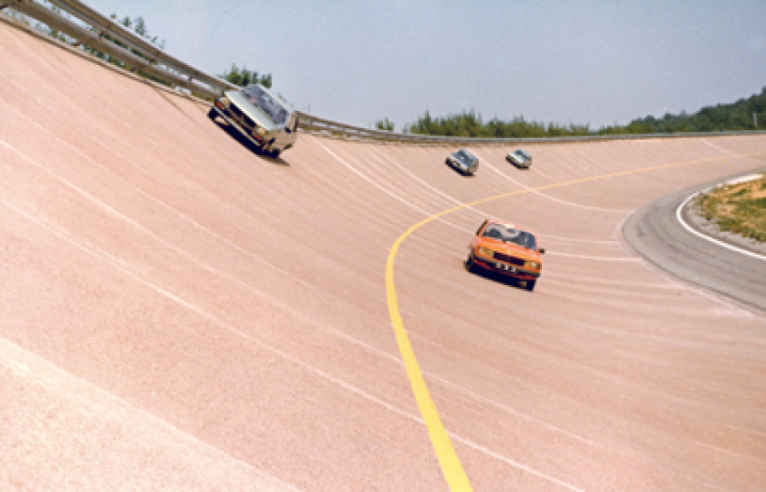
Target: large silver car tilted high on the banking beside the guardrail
(264, 118)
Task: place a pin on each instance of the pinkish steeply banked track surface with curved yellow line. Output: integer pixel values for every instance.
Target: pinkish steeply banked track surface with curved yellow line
(179, 313)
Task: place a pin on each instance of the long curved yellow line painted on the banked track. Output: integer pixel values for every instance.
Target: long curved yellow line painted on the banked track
(450, 464)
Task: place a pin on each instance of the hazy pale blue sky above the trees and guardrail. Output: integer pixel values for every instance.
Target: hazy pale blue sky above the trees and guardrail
(554, 61)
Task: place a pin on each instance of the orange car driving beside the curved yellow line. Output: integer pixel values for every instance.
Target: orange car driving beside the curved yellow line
(508, 249)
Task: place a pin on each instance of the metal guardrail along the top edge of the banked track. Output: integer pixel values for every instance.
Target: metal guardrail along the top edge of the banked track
(183, 75)
